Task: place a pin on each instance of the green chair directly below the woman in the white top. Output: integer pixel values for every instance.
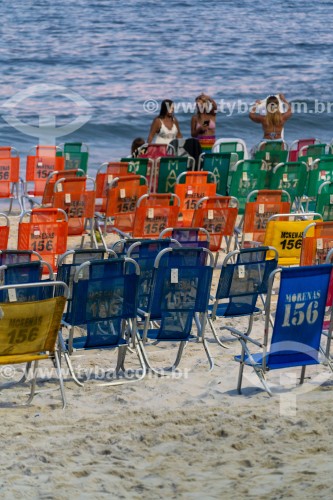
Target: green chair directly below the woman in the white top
(167, 169)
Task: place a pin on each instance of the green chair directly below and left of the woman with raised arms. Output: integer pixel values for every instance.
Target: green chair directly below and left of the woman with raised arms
(249, 175)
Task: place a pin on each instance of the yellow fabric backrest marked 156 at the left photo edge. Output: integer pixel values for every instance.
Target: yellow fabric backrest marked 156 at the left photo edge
(29, 328)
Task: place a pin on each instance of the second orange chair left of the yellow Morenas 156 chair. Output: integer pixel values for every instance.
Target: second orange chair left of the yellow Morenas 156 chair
(217, 214)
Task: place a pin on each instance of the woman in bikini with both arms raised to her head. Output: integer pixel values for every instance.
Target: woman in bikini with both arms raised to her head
(273, 122)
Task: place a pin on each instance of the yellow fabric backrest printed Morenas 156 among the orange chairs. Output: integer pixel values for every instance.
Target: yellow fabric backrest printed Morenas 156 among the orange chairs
(286, 237)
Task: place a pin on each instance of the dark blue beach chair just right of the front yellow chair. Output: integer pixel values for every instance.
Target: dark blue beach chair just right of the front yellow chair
(103, 313)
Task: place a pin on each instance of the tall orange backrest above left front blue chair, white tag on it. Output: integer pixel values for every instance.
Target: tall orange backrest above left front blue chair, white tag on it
(122, 197)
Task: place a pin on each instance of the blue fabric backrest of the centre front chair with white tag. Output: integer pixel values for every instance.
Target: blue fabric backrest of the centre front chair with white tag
(181, 287)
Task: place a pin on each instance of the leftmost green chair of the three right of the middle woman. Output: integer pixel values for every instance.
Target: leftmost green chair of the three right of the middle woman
(220, 164)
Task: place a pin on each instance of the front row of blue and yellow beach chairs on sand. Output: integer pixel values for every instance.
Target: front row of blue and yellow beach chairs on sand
(160, 292)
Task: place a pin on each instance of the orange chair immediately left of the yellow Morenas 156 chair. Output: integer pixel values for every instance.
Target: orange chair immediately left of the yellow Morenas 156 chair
(267, 203)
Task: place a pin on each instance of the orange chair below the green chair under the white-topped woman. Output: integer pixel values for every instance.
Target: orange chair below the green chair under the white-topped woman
(154, 213)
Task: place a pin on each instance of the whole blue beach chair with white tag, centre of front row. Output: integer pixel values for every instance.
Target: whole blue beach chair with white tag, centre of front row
(178, 300)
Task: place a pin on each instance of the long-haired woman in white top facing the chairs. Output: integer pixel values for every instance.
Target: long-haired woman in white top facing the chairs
(165, 126)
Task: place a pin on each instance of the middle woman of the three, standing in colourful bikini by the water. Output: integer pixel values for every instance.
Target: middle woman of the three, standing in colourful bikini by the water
(203, 123)
